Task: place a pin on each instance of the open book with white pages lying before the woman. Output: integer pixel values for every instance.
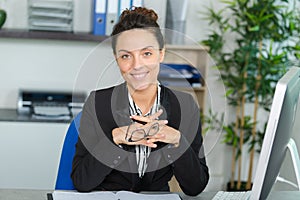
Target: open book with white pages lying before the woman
(107, 195)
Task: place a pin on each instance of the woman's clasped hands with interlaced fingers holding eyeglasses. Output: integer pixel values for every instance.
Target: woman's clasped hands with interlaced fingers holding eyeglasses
(153, 131)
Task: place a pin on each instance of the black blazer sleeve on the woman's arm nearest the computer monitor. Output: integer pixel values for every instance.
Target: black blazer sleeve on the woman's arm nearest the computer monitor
(188, 160)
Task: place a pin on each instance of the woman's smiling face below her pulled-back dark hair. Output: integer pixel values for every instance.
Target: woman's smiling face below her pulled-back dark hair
(138, 57)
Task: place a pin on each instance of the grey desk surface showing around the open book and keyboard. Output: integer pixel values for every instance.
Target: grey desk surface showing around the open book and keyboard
(18, 194)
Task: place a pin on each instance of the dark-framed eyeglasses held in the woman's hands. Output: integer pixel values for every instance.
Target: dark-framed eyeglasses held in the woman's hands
(136, 134)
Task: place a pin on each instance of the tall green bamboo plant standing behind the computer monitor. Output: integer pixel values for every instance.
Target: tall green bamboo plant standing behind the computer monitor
(265, 38)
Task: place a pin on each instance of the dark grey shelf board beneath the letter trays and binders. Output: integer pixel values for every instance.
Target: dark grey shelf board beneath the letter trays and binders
(50, 35)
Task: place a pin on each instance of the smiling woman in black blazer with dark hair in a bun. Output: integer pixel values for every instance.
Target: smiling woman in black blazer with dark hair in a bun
(135, 136)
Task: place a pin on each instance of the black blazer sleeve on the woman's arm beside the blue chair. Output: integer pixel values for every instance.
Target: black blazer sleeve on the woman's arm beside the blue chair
(91, 162)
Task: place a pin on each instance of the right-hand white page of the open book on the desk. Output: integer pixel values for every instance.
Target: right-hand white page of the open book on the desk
(125, 195)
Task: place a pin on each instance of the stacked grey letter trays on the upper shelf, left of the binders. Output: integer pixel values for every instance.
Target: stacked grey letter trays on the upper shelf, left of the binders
(50, 15)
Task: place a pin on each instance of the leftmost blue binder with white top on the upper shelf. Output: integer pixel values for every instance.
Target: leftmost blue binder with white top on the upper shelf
(99, 18)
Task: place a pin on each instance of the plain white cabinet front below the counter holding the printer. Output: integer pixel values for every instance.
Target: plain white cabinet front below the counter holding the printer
(30, 154)
